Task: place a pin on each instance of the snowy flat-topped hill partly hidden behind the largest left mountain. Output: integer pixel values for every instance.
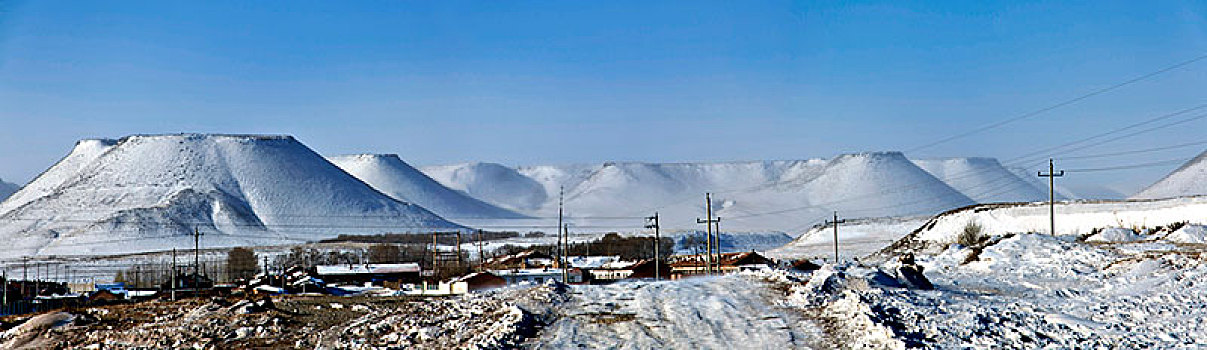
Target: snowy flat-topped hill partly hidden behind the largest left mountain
(395, 178)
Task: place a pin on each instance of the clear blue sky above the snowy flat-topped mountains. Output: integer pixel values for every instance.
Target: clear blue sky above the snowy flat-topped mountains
(521, 83)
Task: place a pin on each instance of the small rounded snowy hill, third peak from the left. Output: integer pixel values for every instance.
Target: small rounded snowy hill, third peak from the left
(493, 184)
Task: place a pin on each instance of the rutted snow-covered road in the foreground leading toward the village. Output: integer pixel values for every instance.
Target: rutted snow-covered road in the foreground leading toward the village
(733, 312)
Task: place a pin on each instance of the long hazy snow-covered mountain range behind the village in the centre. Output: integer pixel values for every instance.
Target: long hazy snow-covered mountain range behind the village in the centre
(749, 196)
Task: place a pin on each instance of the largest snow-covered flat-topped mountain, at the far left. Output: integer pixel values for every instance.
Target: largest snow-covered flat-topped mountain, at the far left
(150, 192)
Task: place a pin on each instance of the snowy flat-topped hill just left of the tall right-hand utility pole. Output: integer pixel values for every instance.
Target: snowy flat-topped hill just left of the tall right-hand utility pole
(984, 180)
